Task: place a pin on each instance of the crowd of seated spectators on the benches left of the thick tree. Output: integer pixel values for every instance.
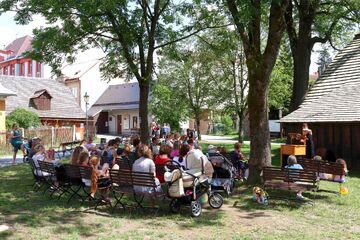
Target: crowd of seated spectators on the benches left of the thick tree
(182, 150)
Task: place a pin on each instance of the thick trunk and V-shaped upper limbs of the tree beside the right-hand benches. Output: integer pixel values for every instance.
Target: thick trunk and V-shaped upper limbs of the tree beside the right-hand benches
(249, 17)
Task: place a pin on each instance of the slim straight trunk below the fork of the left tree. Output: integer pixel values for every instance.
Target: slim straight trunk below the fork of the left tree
(143, 111)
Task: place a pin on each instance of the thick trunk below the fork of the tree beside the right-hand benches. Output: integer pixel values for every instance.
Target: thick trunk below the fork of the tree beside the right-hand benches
(260, 148)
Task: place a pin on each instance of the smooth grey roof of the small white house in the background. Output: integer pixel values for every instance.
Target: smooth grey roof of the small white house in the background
(116, 97)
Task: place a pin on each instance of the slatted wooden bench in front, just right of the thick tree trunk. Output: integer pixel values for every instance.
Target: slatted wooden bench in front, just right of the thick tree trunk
(289, 179)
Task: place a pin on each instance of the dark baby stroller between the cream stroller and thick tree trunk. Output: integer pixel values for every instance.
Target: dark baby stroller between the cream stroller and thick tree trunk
(224, 173)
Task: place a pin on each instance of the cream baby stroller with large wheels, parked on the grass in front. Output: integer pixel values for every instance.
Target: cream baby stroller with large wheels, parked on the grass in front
(188, 187)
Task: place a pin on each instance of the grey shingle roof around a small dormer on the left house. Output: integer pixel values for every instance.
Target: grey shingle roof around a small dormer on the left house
(63, 103)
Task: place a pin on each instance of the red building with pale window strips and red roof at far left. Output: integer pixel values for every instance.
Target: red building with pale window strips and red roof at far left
(13, 62)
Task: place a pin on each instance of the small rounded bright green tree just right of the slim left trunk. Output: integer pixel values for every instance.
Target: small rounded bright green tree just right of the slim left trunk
(167, 106)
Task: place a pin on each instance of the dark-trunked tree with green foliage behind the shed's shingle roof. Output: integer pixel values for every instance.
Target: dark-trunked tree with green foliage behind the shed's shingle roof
(309, 22)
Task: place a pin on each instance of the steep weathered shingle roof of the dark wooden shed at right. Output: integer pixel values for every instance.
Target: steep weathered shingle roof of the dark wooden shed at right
(335, 97)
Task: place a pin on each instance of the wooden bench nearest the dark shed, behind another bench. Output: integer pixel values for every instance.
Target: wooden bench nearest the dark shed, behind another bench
(323, 167)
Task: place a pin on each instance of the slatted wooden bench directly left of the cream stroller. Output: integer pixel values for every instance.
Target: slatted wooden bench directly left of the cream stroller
(136, 184)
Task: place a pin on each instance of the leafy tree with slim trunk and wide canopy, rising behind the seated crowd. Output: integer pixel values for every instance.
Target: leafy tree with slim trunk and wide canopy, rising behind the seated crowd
(129, 32)
